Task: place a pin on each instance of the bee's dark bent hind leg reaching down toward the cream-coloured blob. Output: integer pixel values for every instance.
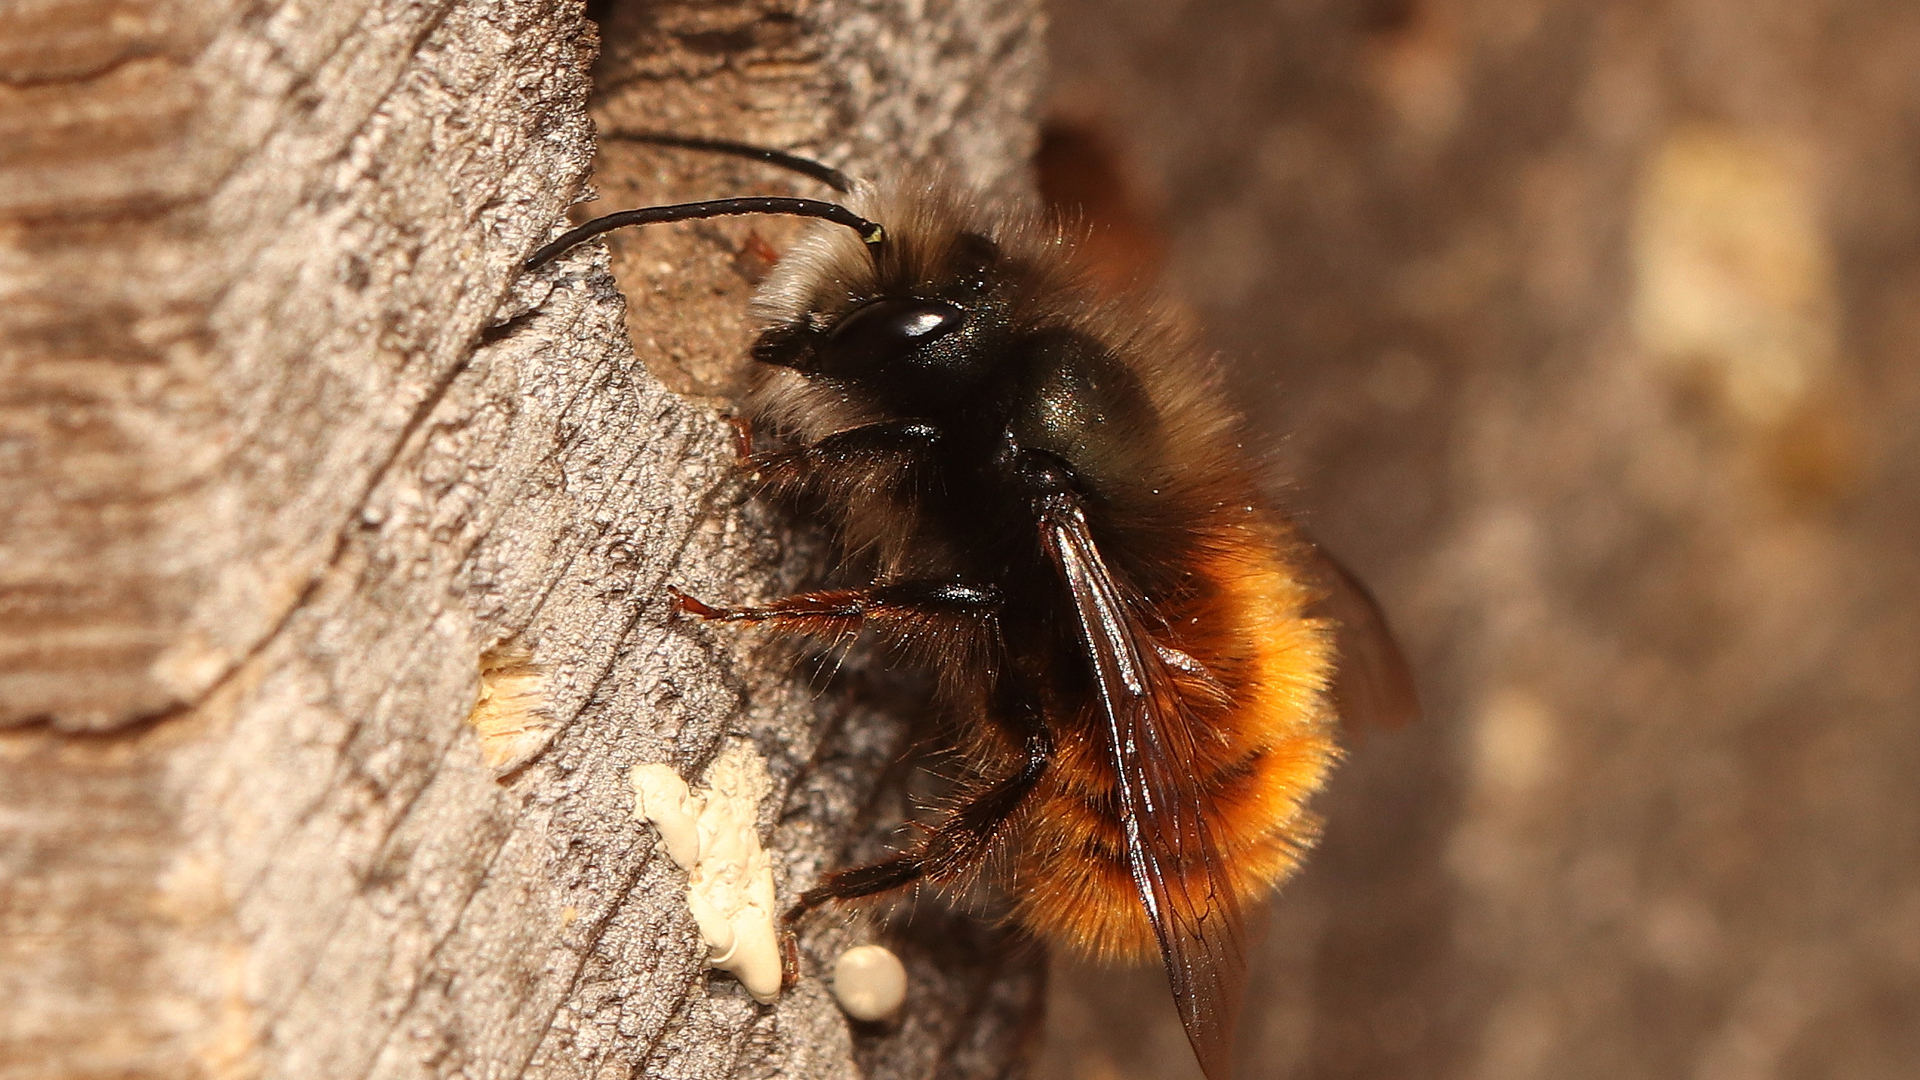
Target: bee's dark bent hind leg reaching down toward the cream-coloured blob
(959, 843)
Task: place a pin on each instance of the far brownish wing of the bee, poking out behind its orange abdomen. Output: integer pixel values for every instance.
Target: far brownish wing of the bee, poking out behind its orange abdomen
(1372, 685)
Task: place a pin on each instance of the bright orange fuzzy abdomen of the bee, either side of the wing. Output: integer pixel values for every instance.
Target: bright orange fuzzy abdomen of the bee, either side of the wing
(1262, 749)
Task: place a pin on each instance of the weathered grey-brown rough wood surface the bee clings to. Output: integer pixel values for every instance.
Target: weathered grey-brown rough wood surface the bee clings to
(335, 552)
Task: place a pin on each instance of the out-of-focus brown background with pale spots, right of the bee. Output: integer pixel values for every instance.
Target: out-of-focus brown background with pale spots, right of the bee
(1589, 333)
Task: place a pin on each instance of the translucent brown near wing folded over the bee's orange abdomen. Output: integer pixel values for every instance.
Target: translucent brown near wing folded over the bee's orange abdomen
(1176, 864)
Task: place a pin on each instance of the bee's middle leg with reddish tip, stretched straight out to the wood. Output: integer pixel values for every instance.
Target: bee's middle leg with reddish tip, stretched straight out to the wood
(900, 608)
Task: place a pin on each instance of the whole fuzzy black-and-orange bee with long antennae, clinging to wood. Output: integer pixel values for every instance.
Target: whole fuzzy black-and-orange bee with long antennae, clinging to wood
(1140, 660)
